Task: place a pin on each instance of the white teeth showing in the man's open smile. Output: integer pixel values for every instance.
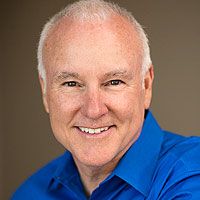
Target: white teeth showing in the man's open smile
(93, 131)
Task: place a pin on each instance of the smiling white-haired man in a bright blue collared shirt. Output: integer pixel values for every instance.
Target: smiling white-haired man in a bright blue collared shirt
(96, 77)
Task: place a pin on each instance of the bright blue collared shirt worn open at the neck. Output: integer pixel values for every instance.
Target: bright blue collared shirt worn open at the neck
(159, 166)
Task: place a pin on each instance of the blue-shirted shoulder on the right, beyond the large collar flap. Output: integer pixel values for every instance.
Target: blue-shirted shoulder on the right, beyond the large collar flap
(178, 170)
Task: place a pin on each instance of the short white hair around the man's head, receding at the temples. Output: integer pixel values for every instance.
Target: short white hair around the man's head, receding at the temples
(93, 10)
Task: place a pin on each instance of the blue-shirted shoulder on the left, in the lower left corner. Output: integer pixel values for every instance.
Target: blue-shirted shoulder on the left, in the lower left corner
(36, 185)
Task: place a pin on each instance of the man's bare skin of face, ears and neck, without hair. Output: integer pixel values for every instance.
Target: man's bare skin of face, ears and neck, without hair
(94, 80)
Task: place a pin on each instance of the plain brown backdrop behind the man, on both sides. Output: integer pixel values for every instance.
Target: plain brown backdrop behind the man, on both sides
(26, 142)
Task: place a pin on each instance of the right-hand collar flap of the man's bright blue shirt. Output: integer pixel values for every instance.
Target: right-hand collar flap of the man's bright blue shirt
(138, 164)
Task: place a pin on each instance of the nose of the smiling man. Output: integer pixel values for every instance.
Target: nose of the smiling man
(93, 105)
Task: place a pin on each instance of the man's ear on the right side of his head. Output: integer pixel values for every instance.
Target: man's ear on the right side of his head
(148, 84)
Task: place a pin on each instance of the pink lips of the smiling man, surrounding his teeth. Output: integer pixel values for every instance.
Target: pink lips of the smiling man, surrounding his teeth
(96, 135)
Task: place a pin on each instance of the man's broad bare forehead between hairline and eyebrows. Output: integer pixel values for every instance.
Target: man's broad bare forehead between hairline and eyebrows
(112, 40)
